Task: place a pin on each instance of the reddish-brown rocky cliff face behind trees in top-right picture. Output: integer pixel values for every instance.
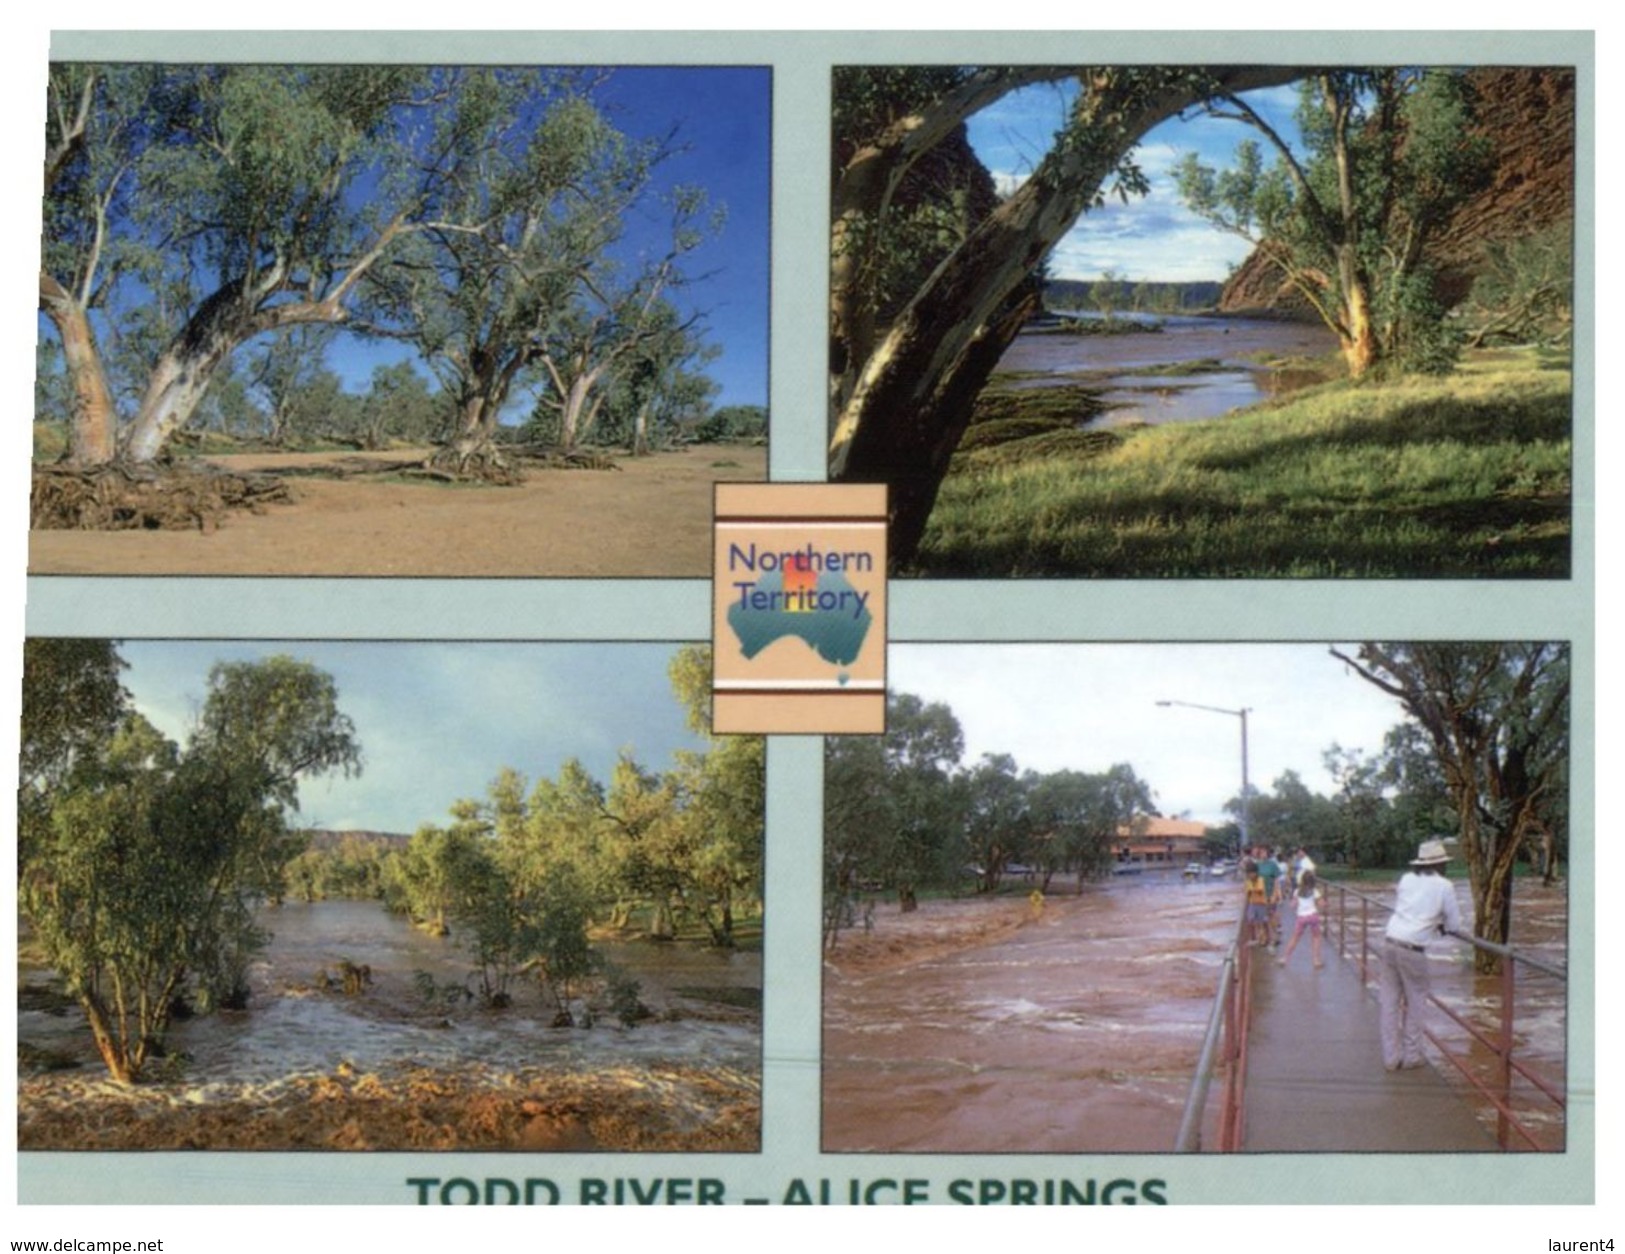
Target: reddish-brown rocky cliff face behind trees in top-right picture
(1530, 115)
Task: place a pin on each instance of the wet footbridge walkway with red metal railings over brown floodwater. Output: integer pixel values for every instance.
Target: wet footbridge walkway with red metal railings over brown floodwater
(1294, 1065)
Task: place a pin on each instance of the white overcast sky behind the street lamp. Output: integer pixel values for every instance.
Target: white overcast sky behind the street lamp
(1086, 707)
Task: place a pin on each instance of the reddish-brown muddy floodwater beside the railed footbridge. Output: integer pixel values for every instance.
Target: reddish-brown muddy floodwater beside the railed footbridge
(974, 1027)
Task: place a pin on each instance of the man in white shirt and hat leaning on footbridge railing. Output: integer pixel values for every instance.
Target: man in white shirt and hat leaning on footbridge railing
(1424, 907)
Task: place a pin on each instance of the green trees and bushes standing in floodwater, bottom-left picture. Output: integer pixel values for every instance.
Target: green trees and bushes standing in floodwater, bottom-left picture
(150, 873)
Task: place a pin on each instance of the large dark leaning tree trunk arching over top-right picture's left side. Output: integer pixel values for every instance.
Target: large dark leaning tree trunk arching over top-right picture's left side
(908, 361)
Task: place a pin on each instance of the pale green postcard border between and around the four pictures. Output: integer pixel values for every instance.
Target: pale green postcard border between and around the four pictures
(670, 610)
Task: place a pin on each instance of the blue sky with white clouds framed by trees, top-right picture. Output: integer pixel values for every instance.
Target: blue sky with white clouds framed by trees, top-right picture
(1151, 238)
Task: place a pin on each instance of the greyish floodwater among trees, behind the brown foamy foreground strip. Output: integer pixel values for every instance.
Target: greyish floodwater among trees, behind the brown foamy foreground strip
(704, 1003)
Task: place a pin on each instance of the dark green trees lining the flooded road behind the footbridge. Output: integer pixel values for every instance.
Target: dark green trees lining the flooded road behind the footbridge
(1480, 759)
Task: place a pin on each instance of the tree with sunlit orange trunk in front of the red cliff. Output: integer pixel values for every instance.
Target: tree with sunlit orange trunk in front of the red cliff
(1346, 218)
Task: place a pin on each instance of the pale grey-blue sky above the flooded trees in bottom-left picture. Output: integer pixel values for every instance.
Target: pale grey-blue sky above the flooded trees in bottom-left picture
(438, 722)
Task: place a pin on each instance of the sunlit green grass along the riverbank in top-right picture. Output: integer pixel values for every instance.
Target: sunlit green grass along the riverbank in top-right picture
(1439, 478)
